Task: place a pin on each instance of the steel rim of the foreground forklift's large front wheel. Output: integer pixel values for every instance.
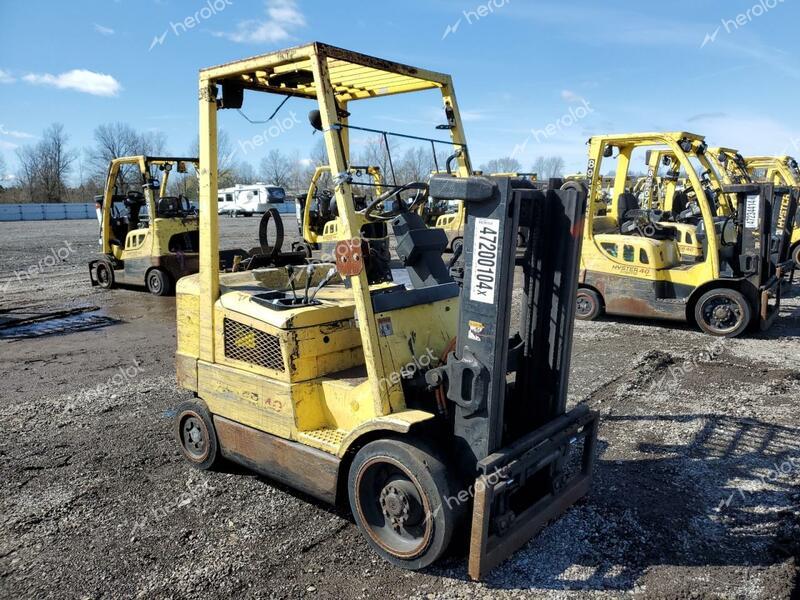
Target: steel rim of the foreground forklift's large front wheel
(394, 510)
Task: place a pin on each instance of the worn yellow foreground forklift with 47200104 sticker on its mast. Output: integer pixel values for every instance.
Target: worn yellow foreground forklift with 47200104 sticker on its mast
(413, 404)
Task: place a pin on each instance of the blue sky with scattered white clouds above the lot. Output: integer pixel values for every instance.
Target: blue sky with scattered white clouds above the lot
(519, 68)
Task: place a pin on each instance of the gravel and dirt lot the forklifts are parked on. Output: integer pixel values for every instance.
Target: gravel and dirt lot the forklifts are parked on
(696, 492)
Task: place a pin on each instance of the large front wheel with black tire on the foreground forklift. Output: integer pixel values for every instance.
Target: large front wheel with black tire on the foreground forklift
(398, 493)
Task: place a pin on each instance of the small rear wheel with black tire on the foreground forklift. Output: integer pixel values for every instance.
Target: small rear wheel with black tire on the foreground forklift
(194, 430)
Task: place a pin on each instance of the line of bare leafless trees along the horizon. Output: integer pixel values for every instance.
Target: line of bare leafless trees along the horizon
(51, 171)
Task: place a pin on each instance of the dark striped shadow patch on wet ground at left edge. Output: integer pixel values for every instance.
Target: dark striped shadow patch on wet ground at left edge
(35, 325)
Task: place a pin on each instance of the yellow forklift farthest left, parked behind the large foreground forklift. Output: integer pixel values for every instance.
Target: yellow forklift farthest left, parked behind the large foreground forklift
(148, 237)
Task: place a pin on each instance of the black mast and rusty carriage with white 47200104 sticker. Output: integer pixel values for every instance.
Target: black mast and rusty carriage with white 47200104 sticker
(534, 459)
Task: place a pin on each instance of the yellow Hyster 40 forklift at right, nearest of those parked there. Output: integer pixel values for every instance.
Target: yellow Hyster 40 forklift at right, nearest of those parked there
(631, 263)
